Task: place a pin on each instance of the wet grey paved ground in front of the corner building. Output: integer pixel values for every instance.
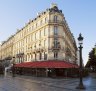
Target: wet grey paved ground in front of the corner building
(28, 83)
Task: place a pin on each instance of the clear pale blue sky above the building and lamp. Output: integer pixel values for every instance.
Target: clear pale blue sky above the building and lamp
(80, 16)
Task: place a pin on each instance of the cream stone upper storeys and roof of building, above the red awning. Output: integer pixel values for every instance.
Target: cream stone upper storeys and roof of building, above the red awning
(47, 37)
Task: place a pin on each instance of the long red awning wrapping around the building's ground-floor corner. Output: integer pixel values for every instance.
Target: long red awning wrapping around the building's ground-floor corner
(47, 64)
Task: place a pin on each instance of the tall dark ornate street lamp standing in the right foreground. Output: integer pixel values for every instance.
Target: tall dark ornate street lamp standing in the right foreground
(80, 41)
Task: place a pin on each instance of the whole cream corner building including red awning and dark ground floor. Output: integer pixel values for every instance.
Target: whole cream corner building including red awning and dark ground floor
(45, 46)
